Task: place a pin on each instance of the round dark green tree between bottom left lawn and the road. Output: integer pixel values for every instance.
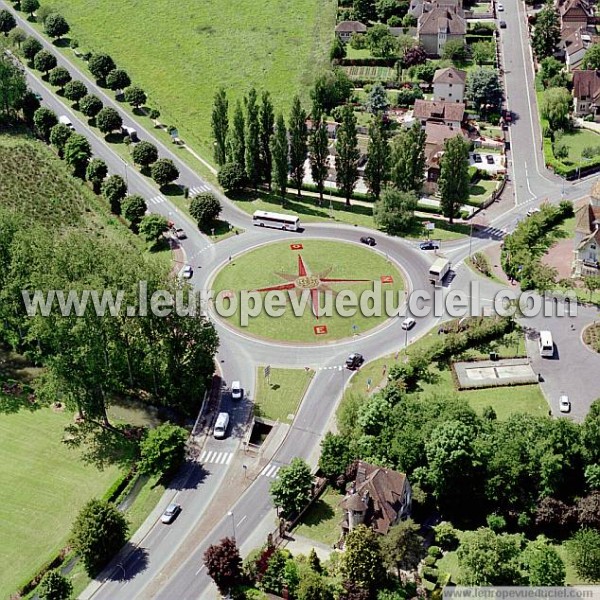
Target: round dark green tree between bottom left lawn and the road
(98, 533)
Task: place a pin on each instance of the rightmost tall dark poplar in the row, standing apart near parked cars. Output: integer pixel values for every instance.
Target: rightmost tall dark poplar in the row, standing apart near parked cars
(453, 184)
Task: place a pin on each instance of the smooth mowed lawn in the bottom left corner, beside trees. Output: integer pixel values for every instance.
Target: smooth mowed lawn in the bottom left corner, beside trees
(43, 485)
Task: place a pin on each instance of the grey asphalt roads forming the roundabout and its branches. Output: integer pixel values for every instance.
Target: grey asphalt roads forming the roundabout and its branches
(156, 568)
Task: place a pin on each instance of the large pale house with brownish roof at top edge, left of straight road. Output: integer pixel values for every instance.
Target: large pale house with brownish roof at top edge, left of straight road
(439, 25)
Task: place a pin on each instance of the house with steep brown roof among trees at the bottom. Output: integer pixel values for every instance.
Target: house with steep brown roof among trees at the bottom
(378, 498)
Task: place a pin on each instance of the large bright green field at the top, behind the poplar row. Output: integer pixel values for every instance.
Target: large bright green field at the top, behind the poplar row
(180, 52)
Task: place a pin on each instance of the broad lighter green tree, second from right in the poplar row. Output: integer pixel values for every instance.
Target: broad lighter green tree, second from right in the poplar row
(408, 159)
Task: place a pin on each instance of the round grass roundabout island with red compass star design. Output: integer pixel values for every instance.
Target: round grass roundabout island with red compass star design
(316, 272)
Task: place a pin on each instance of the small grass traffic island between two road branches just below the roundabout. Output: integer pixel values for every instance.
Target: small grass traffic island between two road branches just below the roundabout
(279, 399)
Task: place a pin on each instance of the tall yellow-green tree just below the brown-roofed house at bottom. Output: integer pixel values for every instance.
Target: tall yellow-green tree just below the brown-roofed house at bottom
(362, 561)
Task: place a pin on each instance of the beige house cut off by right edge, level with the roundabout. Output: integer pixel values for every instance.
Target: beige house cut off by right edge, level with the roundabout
(586, 259)
